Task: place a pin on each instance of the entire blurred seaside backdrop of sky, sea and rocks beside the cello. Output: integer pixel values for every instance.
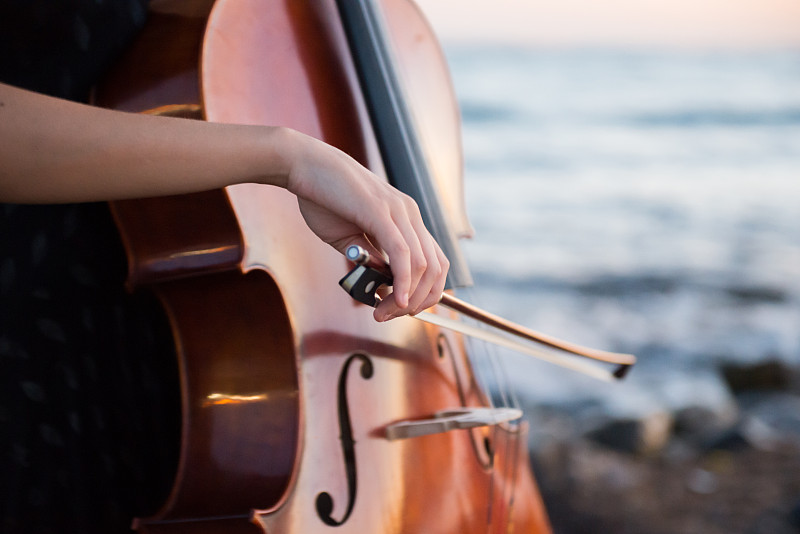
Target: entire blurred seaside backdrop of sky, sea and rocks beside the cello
(632, 172)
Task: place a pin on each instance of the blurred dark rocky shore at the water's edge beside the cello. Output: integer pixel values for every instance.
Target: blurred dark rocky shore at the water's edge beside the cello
(696, 470)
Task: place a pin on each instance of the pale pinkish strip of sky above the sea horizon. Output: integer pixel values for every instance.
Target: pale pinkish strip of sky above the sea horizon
(653, 23)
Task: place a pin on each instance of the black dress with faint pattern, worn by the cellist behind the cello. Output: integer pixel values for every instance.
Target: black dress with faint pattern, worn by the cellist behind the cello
(89, 403)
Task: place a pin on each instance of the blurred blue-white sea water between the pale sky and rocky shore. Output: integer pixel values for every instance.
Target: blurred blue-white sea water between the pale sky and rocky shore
(636, 201)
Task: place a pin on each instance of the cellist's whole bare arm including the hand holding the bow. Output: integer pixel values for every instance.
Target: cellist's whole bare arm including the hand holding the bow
(54, 151)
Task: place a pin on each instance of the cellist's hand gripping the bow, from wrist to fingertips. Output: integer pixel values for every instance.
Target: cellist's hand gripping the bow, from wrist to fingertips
(345, 204)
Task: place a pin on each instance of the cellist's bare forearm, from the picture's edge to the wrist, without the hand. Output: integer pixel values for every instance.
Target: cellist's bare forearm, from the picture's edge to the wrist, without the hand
(57, 151)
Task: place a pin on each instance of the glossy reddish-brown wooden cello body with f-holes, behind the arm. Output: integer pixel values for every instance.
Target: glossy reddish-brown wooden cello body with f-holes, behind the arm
(288, 384)
